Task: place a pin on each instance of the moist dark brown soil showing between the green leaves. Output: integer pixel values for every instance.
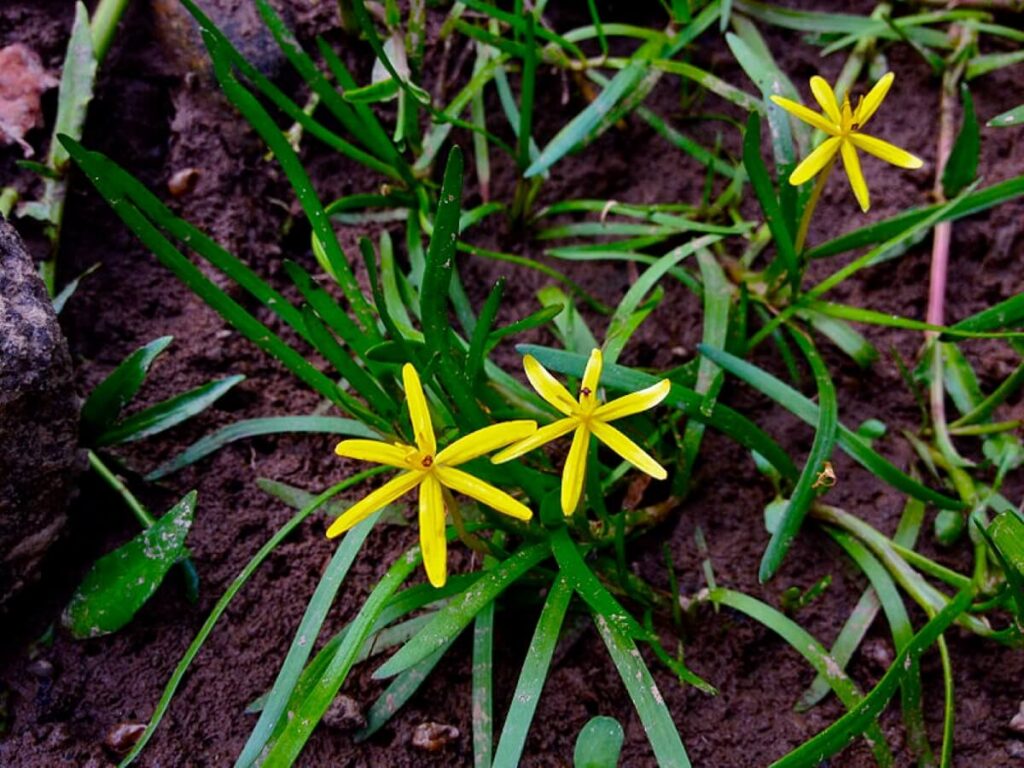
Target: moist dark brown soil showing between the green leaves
(65, 697)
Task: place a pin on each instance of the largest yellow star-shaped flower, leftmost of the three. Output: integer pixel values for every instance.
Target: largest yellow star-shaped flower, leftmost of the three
(430, 470)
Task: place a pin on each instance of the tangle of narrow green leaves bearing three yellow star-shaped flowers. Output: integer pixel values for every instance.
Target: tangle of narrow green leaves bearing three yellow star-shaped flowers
(405, 361)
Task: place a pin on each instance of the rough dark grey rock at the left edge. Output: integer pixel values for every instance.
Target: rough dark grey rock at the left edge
(39, 456)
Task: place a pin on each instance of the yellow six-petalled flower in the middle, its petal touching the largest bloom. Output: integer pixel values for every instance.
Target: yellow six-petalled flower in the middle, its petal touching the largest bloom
(587, 417)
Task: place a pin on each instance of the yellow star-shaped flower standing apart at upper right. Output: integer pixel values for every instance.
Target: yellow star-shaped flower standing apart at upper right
(844, 129)
